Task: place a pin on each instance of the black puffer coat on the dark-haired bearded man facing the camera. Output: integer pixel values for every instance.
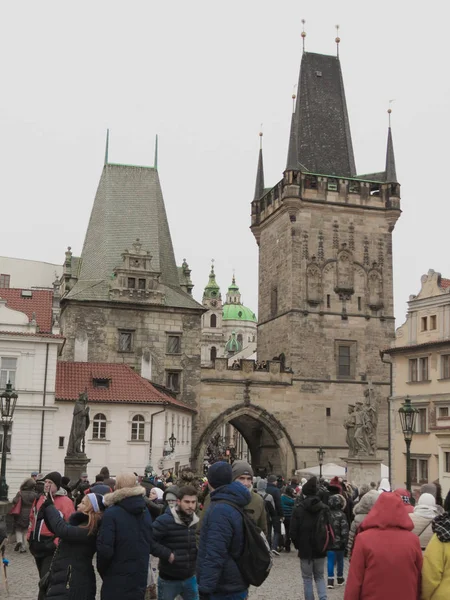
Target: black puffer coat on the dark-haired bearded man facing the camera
(170, 534)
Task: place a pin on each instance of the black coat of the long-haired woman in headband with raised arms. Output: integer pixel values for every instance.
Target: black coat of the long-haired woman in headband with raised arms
(72, 575)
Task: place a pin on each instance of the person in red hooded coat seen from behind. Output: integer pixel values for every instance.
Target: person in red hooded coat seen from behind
(386, 560)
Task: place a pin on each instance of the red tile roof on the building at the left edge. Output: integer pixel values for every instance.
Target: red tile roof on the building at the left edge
(40, 304)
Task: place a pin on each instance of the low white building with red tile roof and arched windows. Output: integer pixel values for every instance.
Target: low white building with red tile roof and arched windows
(131, 420)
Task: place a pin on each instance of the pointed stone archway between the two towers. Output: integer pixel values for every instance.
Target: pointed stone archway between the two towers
(269, 443)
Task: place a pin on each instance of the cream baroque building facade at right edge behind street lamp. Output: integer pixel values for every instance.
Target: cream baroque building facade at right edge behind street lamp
(420, 356)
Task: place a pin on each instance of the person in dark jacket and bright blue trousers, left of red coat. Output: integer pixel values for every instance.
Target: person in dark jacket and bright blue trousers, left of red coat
(336, 550)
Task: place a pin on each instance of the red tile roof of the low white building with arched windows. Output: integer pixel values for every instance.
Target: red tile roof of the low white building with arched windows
(125, 385)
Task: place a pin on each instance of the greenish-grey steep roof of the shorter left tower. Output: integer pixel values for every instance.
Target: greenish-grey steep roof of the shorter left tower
(128, 205)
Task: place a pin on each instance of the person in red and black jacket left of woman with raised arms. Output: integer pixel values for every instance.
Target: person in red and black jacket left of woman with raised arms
(42, 541)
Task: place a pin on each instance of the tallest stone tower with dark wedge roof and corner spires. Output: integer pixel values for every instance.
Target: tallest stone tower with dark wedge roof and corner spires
(325, 248)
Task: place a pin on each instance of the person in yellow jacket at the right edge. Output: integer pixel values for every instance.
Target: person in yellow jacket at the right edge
(436, 561)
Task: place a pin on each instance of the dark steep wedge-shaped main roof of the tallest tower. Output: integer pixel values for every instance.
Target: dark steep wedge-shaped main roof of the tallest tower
(321, 120)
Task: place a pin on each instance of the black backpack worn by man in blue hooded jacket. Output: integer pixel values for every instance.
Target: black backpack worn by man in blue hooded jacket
(255, 561)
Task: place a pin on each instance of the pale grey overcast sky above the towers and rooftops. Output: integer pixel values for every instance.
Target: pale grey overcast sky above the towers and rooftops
(204, 75)
